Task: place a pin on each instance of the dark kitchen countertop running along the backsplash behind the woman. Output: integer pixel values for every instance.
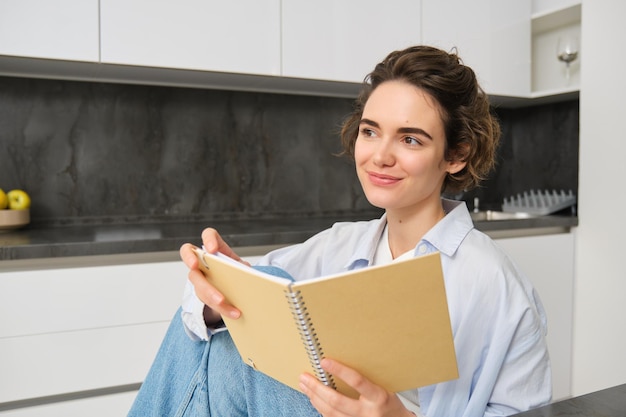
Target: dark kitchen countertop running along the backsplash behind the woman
(87, 239)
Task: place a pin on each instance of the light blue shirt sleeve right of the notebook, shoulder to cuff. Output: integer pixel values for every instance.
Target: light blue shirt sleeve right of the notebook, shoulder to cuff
(499, 331)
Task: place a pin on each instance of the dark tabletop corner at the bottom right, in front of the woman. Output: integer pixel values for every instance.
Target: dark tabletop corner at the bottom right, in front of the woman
(610, 402)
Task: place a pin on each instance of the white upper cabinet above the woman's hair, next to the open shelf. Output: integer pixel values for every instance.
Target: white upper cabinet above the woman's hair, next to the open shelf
(491, 36)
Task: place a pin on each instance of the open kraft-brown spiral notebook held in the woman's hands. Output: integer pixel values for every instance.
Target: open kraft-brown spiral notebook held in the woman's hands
(389, 322)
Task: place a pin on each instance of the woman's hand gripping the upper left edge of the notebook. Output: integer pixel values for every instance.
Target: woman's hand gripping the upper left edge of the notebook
(215, 302)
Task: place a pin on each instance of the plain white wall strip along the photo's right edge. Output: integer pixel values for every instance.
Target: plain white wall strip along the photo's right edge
(599, 354)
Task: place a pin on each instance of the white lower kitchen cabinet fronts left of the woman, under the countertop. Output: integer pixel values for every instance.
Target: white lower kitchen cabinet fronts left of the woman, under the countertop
(75, 329)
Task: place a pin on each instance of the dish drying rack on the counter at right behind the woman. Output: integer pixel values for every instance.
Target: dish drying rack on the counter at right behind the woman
(539, 202)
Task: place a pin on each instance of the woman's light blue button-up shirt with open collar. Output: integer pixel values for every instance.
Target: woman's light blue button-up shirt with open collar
(498, 322)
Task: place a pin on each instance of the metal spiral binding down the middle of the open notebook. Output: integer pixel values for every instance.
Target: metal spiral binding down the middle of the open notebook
(308, 336)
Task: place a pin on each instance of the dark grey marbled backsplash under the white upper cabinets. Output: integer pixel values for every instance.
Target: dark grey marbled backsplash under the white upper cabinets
(115, 151)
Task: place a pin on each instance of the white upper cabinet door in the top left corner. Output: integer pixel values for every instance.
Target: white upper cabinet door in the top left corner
(61, 29)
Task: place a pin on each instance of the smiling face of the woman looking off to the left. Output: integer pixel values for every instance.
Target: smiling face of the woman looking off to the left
(399, 151)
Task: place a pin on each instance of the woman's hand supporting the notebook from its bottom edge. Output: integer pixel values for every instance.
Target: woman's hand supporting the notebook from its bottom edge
(374, 401)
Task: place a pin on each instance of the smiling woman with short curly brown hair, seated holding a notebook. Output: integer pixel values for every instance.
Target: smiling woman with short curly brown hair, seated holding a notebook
(421, 127)
